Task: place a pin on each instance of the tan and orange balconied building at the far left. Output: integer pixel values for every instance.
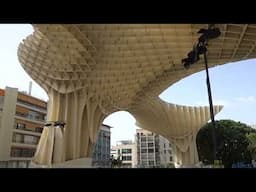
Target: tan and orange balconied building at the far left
(22, 117)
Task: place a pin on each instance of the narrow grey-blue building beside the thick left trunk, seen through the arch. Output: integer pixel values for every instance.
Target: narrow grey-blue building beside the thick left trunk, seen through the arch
(101, 152)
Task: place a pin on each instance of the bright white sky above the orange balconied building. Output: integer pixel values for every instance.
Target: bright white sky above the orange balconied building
(12, 73)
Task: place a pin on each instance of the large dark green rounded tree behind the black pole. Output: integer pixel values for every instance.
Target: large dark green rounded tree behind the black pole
(231, 142)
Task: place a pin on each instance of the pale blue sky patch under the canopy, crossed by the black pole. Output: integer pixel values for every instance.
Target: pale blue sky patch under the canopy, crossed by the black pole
(232, 86)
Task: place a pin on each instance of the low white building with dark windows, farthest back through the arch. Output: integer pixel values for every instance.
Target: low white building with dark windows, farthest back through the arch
(126, 152)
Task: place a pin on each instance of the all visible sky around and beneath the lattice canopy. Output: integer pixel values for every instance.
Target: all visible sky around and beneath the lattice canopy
(232, 86)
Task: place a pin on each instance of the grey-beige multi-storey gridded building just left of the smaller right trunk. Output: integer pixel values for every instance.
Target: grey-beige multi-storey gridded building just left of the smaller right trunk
(152, 150)
